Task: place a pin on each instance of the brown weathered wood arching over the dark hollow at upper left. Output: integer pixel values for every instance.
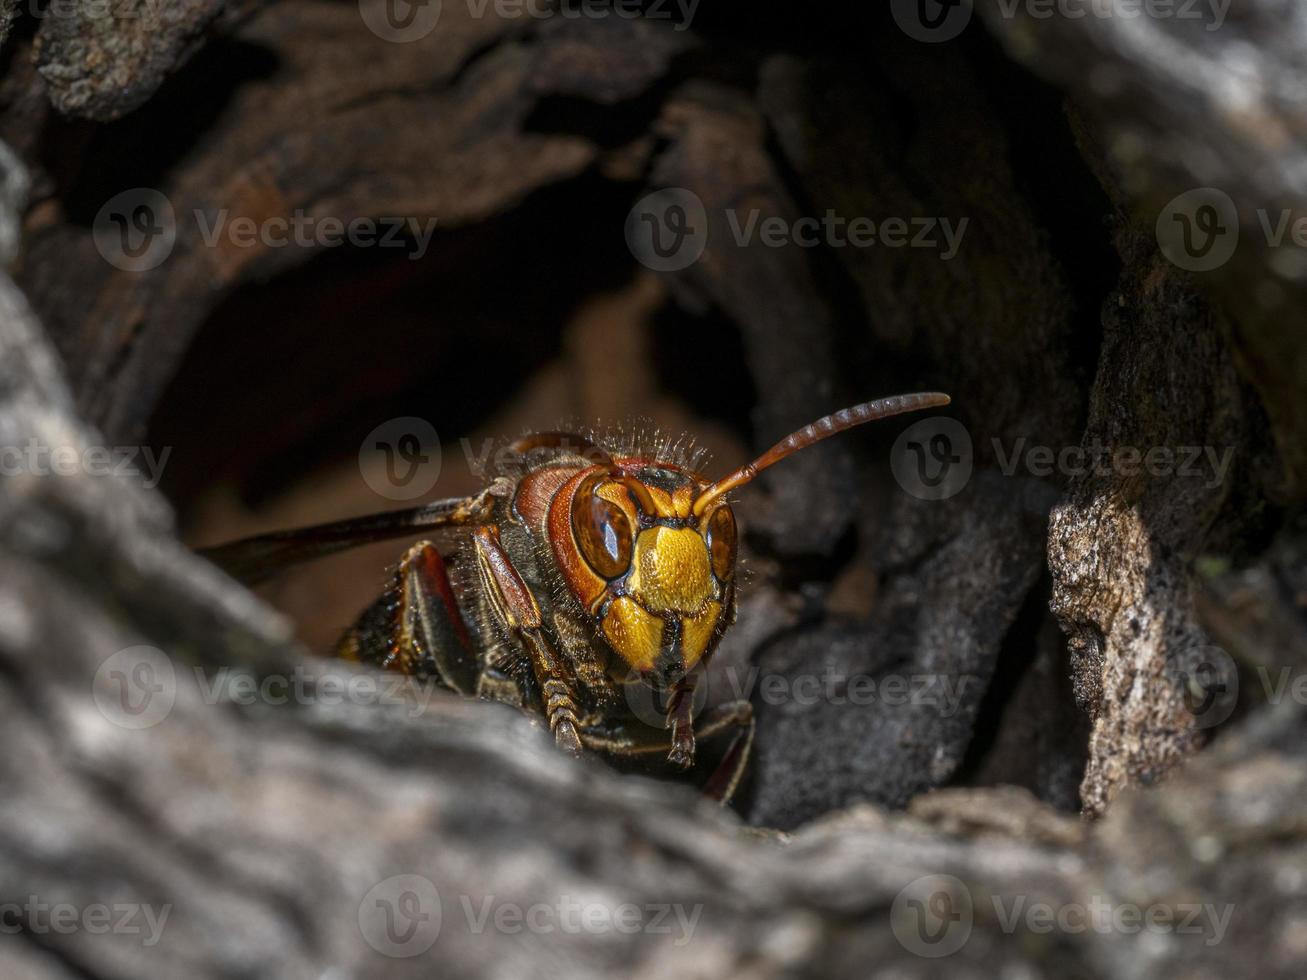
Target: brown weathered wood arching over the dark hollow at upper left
(361, 146)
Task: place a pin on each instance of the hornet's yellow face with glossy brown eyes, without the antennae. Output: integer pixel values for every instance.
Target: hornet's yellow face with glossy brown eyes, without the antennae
(655, 577)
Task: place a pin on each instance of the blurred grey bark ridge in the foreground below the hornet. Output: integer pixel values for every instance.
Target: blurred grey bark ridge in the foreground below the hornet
(275, 825)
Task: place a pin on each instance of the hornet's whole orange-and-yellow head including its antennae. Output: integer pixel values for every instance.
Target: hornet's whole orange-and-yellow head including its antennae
(649, 549)
